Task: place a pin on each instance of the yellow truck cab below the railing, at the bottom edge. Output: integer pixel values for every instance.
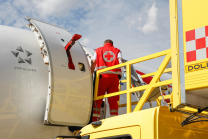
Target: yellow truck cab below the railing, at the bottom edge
(153, 123)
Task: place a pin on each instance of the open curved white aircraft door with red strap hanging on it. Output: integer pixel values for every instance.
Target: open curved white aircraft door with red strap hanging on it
(70, 94)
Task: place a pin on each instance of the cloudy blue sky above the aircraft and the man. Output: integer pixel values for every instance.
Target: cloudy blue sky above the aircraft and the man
(137, 27)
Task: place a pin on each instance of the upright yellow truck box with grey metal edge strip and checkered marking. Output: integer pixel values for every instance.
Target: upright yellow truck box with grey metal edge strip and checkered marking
(189, 43)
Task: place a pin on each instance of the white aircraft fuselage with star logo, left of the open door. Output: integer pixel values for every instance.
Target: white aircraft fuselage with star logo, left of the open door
(23, 87)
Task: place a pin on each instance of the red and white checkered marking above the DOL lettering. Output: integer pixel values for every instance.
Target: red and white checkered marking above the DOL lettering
(197, 44)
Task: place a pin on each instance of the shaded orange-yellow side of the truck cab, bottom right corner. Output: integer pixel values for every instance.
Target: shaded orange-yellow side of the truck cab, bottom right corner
(169, 126)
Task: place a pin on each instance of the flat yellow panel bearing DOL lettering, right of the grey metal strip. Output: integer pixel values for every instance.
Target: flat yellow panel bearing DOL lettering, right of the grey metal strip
(195, 18)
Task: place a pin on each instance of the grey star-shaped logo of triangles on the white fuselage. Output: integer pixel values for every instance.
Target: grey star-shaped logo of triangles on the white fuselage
(20, 59)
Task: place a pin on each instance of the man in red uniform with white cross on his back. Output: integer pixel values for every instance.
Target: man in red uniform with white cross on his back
(104, 57)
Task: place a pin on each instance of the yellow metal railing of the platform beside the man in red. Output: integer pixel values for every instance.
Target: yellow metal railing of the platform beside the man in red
(148, 88)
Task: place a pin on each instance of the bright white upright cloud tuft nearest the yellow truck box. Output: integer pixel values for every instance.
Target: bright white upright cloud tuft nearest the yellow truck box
(151, 24)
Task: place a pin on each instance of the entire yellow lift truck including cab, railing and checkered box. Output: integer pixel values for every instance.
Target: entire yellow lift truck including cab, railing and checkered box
(186, 115)
